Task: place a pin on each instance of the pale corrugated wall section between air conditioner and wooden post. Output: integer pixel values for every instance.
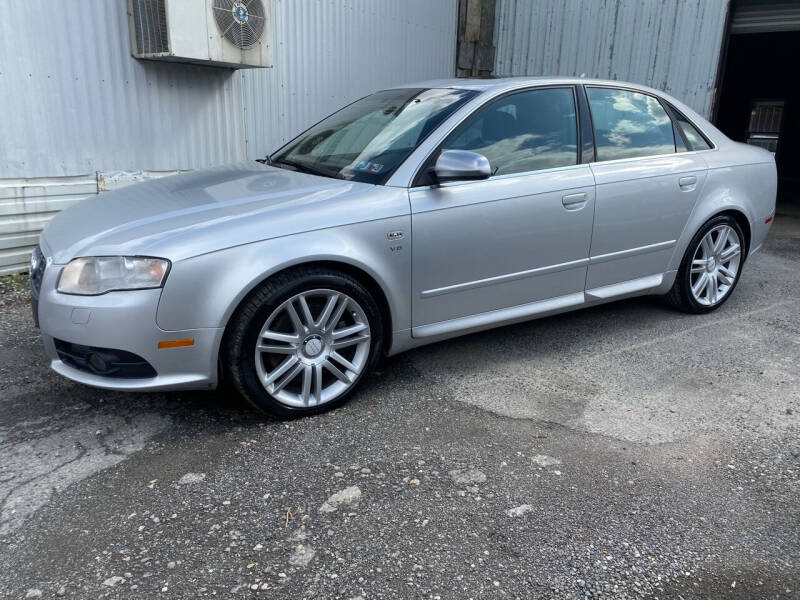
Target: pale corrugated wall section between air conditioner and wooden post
(331, 52)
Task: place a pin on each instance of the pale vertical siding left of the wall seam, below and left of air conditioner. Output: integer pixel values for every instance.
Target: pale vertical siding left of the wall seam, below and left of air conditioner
(82, 104)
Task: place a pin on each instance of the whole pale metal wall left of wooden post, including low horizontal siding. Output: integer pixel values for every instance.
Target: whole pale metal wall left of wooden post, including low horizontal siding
(75, 105)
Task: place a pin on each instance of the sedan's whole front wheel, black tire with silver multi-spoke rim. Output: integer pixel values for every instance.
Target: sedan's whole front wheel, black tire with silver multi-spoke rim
(300, 327)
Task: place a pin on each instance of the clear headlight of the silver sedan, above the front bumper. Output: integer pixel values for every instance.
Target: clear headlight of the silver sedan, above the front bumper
(95, 275)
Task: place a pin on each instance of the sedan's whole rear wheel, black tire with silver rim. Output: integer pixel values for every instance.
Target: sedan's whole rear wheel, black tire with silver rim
(724, 261)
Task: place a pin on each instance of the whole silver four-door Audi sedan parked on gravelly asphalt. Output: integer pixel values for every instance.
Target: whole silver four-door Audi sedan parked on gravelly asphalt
(412, 215)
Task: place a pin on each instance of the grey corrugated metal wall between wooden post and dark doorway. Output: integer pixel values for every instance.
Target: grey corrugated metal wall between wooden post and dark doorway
(671, 45)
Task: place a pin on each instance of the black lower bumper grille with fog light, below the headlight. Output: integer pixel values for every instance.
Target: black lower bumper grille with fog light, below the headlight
(106, 362)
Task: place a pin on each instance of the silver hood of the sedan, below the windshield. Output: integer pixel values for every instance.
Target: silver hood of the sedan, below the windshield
(202, 211)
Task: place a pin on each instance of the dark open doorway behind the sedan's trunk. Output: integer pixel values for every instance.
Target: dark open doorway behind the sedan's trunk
(760, 102)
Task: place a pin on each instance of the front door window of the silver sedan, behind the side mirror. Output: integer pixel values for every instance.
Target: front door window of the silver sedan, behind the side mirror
(524, 131)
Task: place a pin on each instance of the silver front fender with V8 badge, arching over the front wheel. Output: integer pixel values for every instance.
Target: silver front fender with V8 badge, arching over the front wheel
(205, 290)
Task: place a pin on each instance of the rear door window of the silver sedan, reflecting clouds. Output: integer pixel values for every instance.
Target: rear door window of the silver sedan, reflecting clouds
(629, 124)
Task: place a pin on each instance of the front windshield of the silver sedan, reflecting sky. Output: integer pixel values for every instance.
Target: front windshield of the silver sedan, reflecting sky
(367, 140)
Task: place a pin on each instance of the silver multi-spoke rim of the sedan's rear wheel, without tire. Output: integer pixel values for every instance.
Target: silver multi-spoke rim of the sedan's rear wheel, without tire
(715, 265)
